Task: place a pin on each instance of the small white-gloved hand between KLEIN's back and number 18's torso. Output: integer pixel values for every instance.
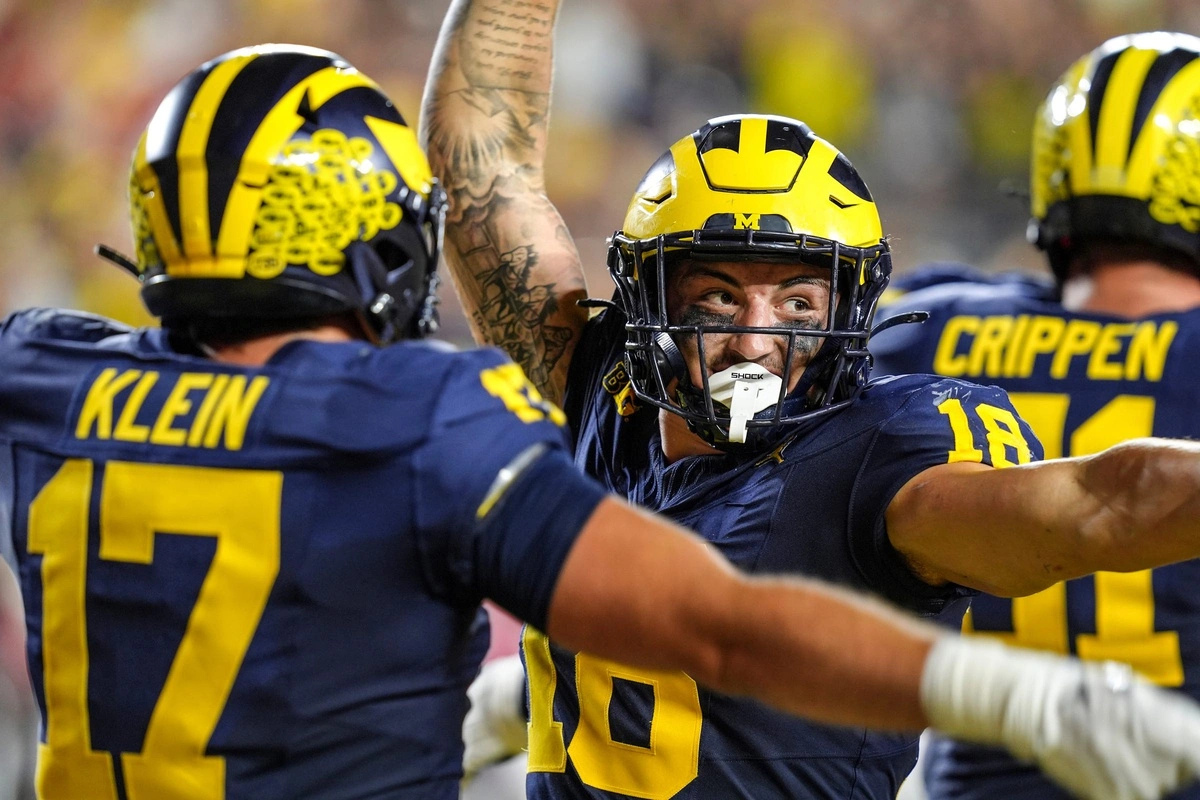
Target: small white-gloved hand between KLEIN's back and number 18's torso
(496, 725)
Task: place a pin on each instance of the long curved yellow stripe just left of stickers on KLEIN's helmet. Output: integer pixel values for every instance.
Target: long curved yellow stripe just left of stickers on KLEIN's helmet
(280, 125)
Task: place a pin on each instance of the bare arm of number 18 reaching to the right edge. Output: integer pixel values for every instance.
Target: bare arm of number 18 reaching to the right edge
(1015, 532)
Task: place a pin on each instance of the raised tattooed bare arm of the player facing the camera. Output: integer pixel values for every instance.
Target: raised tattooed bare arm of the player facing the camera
(484, 125)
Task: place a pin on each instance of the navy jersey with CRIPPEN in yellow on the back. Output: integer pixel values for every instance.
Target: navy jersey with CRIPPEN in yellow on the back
(1084, 382)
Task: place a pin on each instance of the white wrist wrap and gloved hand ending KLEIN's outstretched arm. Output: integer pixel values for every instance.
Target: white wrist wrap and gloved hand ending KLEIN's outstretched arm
(1096, 729)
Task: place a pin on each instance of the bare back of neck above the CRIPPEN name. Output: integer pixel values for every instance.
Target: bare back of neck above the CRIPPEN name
(1132, 290)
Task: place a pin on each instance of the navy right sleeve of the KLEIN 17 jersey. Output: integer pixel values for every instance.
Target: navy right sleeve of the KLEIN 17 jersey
(500, 503)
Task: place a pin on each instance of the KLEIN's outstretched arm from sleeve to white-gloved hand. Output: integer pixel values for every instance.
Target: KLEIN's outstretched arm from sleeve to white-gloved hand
(637, 590)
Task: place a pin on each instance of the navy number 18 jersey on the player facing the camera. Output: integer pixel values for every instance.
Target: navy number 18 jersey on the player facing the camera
(813, 506)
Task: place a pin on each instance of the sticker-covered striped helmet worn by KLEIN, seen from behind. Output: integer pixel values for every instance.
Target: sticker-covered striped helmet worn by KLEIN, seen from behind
(280, 183)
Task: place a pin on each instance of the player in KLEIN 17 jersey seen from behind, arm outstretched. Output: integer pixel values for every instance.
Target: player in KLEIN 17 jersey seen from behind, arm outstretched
(253, 544)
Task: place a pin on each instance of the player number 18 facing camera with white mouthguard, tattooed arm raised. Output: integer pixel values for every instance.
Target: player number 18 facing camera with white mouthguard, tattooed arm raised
(725, 387)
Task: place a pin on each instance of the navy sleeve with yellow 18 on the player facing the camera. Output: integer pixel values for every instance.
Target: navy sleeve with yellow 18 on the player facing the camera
(941, 423)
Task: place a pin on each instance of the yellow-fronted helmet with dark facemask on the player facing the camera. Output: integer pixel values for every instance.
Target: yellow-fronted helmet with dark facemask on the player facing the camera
(751, 189)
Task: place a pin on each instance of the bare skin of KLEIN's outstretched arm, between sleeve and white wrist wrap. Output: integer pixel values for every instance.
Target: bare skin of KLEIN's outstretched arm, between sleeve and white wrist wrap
(735, 634)
